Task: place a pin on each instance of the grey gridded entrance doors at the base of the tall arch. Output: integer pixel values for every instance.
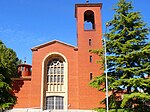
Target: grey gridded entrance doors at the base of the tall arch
(54, 103)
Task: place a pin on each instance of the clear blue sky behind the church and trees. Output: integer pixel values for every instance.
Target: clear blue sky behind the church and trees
(28, 23)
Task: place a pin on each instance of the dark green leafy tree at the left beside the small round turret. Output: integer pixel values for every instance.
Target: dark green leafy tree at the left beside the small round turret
(8, 69)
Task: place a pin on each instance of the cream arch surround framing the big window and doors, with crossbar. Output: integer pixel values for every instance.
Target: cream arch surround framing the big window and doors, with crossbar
(45, 62)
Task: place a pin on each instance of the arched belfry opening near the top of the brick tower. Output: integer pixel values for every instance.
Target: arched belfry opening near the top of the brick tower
(89, 23)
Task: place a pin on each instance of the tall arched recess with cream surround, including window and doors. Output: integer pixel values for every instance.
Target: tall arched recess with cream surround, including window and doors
(55, 84)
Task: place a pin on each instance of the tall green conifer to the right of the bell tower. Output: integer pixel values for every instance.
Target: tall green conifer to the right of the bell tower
(128, 59)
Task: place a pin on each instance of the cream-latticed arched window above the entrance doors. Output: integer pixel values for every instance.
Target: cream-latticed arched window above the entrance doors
(55, 74)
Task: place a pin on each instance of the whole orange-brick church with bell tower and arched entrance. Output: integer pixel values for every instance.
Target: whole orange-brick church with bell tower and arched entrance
(61, 72)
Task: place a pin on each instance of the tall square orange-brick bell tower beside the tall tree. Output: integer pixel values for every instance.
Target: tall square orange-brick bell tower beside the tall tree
(89, 36)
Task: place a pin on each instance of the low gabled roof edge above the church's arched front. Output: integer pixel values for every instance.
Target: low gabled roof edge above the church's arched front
(50, 43)
